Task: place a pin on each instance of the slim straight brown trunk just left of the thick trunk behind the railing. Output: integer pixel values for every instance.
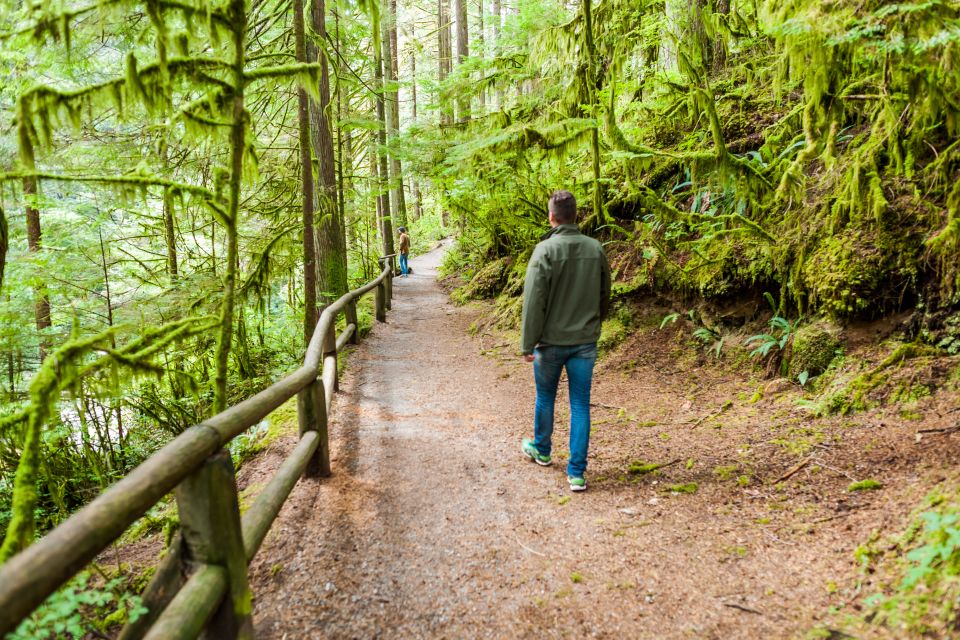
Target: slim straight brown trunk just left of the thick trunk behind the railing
(307, 191)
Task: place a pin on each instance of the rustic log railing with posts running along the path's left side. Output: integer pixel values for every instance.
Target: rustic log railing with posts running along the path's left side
(202, 581)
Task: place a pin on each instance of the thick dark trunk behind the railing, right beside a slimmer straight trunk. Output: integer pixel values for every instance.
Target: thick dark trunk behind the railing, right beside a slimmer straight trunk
(331, 257)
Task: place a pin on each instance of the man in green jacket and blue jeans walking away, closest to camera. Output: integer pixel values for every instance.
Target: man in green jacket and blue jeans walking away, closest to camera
(566, 296)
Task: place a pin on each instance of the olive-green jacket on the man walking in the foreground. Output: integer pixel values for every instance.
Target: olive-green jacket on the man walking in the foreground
(566, 295)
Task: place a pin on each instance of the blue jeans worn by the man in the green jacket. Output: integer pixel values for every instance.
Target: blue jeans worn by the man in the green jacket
(548, 364)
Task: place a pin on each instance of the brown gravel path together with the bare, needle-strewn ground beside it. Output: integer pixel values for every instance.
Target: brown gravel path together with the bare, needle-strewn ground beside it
(434, 525)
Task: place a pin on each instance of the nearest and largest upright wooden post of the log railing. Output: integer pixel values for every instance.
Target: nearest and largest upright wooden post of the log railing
(210, 525)
